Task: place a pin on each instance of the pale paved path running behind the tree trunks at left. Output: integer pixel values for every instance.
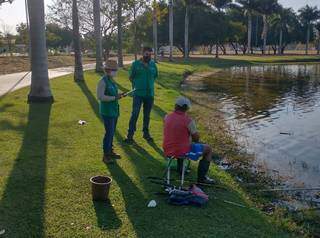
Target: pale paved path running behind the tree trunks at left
(13, 82)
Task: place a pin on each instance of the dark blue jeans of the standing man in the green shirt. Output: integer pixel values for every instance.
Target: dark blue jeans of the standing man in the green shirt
(147, 103)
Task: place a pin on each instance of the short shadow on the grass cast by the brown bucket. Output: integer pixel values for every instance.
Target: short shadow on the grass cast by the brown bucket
(106, 216)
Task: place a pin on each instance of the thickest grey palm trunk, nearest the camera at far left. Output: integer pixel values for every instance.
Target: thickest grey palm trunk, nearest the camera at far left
(40, 87)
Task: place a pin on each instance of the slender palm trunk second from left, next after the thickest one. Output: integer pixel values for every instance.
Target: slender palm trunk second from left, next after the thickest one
(78, 68)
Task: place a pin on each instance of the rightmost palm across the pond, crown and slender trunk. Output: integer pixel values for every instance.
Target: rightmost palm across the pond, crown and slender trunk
(308, 16)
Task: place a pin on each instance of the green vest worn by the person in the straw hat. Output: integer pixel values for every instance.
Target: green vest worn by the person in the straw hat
(110, 109)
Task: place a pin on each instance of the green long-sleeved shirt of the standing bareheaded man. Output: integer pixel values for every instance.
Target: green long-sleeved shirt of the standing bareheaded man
(143, 78)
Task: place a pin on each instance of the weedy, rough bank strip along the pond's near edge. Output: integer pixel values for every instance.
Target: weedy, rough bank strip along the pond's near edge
(250, 177)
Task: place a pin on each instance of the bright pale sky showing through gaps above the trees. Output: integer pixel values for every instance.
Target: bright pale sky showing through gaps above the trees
(13, 14)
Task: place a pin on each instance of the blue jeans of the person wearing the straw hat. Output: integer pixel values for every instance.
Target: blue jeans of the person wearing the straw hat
(110, 124)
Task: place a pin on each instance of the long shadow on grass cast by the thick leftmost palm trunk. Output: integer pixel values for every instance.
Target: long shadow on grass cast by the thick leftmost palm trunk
(22, 204)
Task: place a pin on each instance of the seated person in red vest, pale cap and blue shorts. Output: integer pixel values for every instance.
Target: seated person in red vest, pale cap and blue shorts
(181, 137)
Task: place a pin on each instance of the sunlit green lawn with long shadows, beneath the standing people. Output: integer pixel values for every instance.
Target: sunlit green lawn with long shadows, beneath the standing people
(46, 161)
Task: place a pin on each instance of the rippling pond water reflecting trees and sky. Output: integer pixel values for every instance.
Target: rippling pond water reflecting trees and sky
(274, 112)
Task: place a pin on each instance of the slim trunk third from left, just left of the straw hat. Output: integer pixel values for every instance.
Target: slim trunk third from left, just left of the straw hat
(97, 32)
